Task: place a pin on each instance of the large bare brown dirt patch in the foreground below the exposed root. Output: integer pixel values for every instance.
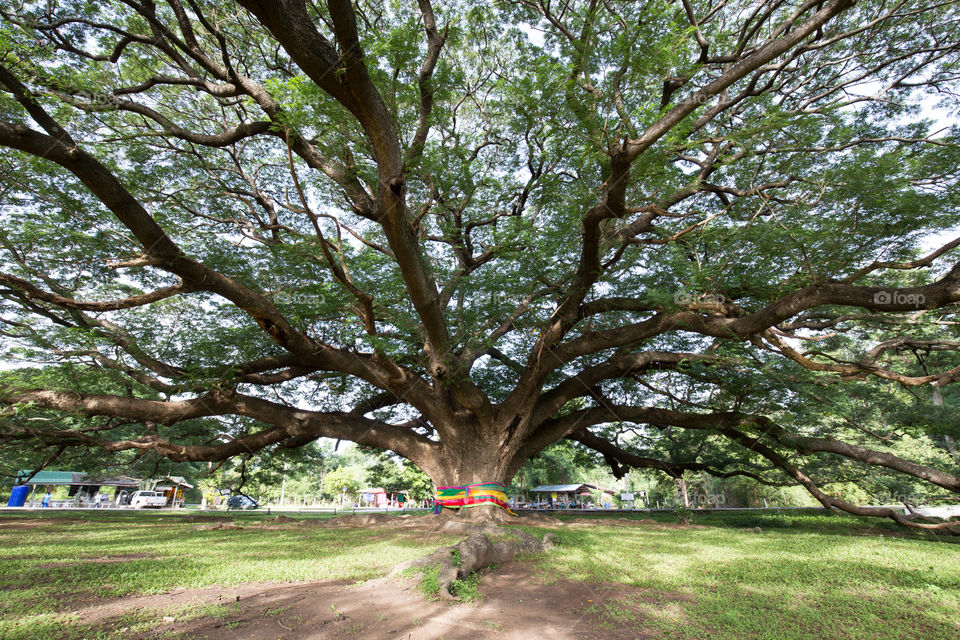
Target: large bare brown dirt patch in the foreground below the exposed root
(516, 605)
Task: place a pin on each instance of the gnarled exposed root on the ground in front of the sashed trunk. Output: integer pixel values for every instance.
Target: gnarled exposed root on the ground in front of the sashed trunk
(486, 546)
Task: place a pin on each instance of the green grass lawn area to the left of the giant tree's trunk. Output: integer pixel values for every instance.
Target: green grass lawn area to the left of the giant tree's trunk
(56, 563)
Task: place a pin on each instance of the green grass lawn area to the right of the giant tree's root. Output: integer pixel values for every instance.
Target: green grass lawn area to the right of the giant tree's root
(803, 577)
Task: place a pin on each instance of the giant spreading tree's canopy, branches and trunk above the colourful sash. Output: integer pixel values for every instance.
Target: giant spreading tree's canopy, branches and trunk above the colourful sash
(465, 232)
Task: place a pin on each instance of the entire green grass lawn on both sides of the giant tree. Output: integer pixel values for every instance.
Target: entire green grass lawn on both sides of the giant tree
(803, 577)
